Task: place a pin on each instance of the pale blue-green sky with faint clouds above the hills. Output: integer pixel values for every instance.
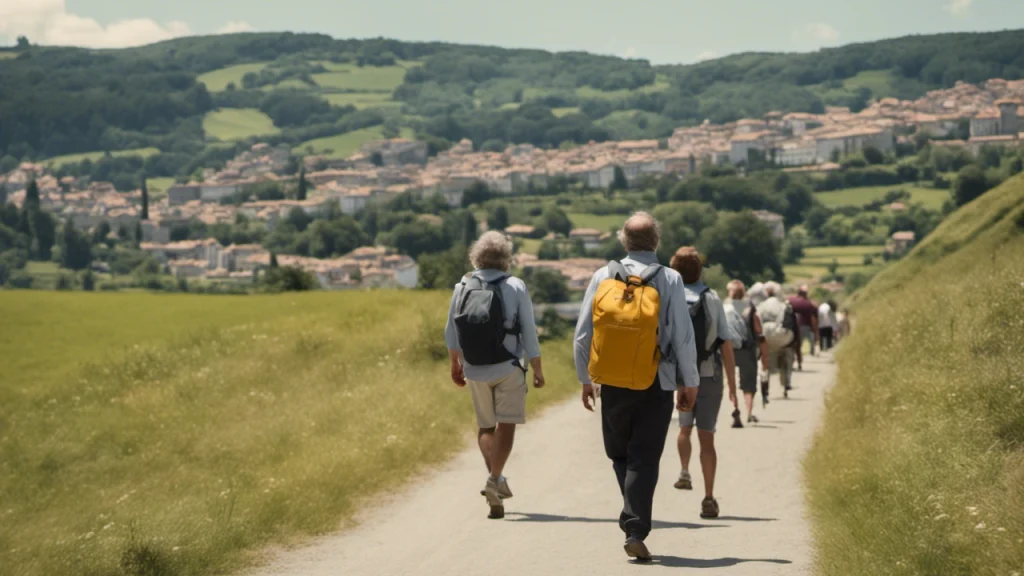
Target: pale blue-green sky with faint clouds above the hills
(661, 31)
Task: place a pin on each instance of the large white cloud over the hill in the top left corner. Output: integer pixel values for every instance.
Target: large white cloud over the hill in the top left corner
(49, 22)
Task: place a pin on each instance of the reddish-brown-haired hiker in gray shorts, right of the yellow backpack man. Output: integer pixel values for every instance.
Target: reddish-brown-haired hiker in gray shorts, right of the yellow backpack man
(715, 355)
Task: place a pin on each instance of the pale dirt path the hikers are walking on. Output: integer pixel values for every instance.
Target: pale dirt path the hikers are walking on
(564, 518)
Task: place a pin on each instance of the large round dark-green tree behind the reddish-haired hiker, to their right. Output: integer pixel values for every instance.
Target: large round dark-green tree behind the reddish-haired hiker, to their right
(744, 246)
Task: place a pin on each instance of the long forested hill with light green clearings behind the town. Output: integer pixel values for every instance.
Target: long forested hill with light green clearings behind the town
(300, 88)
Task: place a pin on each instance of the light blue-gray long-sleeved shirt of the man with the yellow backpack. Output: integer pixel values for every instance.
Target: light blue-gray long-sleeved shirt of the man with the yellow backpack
(675, 338)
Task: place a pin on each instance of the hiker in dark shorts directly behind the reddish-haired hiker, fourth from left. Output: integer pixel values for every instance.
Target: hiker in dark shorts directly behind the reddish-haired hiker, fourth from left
(750, 347)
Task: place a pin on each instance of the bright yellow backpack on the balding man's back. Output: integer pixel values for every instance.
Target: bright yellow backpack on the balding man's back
(624, 352)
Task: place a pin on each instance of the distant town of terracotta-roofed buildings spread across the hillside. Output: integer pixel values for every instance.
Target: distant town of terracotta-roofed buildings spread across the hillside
(991, 114)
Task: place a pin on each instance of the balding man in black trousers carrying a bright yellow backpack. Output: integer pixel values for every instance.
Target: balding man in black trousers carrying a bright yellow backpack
(635, 340)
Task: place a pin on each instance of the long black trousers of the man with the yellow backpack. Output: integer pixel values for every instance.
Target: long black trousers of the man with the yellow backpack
(635, 426)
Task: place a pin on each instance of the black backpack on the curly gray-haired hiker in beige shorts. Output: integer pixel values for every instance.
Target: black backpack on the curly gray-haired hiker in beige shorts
(480, 323)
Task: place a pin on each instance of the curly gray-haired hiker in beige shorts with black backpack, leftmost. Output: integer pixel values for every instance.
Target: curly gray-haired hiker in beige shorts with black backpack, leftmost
(491, 330)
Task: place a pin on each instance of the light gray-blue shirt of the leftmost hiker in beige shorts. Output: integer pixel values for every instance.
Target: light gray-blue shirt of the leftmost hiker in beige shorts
(518, 307)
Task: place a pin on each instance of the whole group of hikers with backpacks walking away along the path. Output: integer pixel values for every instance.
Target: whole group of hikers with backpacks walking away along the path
(650, 341)
